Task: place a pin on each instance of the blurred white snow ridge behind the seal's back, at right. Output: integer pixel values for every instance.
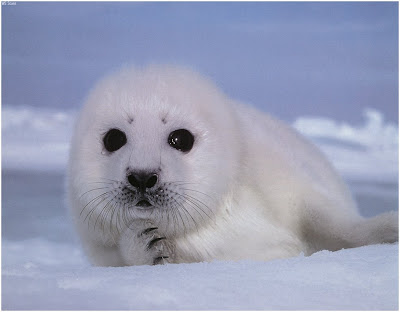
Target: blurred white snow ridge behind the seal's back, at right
(365, 152)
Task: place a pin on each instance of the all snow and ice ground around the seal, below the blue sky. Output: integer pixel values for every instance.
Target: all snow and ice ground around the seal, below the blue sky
(43, 266)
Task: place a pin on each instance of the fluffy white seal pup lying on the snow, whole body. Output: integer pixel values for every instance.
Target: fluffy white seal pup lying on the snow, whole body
(165, 168)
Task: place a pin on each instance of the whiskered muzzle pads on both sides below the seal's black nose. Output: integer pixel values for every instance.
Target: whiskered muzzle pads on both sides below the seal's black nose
(178, 205)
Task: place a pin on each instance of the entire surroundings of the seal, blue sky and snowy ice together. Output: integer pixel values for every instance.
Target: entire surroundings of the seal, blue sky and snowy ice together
(328, 69)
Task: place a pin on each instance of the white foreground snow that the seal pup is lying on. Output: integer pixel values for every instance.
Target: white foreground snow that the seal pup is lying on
(41, 275)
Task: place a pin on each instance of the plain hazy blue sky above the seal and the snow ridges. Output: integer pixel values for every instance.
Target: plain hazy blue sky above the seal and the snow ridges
(291, 59)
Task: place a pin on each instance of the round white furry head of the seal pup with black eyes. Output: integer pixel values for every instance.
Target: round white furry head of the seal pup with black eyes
(157, 144)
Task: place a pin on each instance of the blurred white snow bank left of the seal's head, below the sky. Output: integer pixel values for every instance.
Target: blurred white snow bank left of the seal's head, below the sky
(41, 133)
